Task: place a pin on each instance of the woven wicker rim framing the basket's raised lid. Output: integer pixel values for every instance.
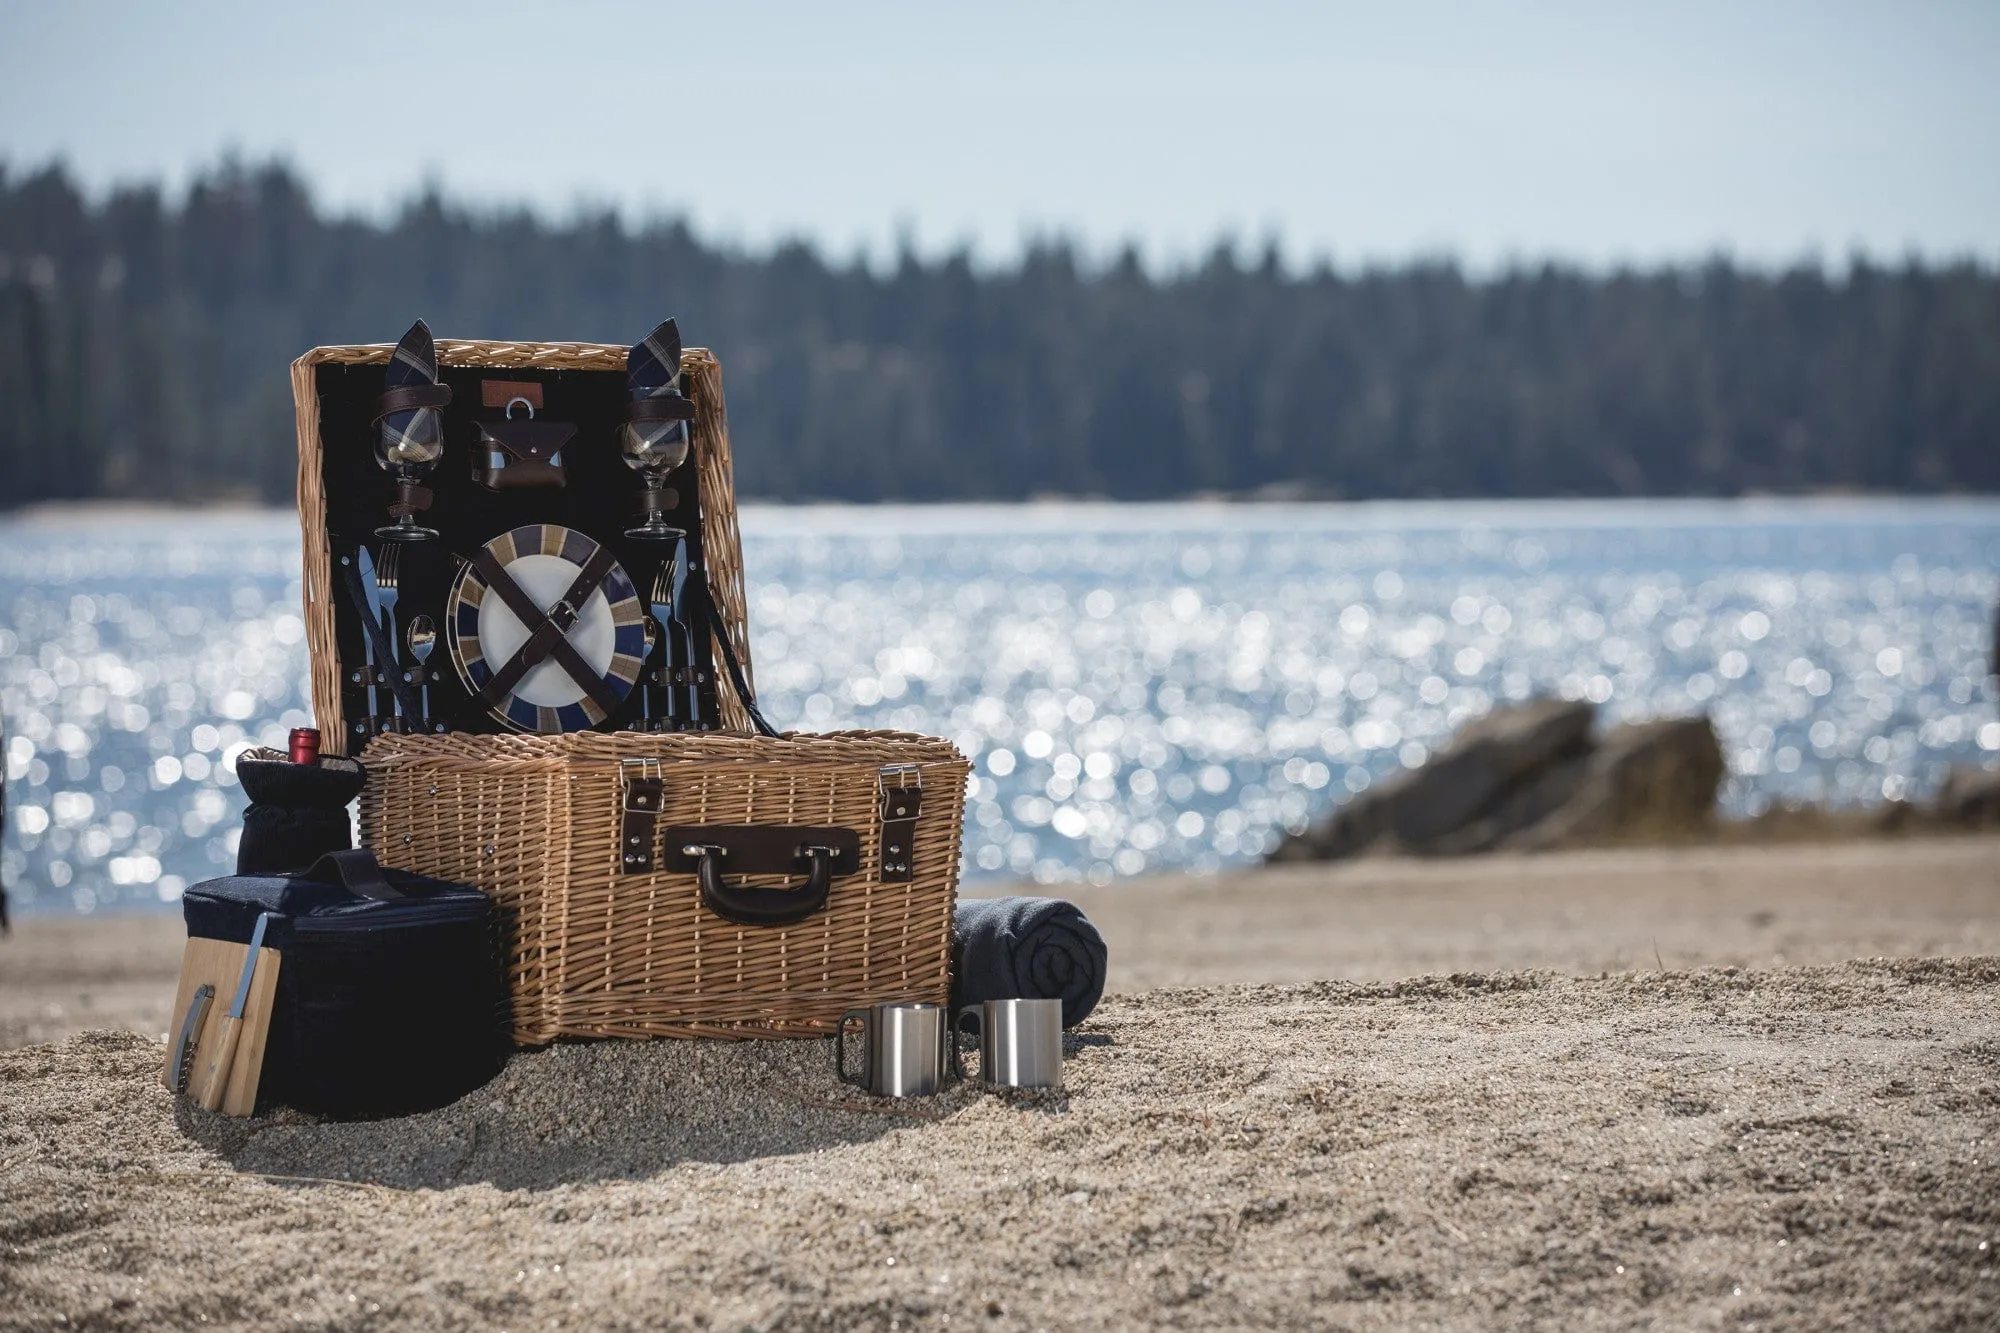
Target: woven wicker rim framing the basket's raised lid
(711, 443)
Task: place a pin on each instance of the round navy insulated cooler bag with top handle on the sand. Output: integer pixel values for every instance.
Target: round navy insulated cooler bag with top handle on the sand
(391, 996)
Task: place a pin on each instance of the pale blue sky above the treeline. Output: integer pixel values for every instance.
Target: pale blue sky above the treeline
(1599, 133)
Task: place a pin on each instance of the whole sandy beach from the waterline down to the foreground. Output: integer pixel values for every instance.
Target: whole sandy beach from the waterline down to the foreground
(1695, 1088)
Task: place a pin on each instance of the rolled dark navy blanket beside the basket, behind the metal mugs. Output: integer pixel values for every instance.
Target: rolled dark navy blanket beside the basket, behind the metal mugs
(1027, 950)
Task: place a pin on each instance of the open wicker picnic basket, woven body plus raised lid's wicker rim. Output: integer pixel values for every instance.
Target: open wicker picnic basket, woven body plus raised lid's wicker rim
(697, 884)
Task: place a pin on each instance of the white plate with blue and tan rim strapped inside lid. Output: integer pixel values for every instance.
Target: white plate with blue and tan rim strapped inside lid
(483, 631)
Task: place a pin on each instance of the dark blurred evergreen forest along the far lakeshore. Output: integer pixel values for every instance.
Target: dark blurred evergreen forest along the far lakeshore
(145, 347)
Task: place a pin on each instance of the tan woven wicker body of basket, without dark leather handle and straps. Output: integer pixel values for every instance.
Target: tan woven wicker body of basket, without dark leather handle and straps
(599, 954)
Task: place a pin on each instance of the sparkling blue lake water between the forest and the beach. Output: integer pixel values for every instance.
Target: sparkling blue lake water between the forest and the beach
(1143, 688)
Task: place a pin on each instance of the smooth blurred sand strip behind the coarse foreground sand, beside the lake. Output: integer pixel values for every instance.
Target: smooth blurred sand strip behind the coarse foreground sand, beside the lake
(1599, 912)
